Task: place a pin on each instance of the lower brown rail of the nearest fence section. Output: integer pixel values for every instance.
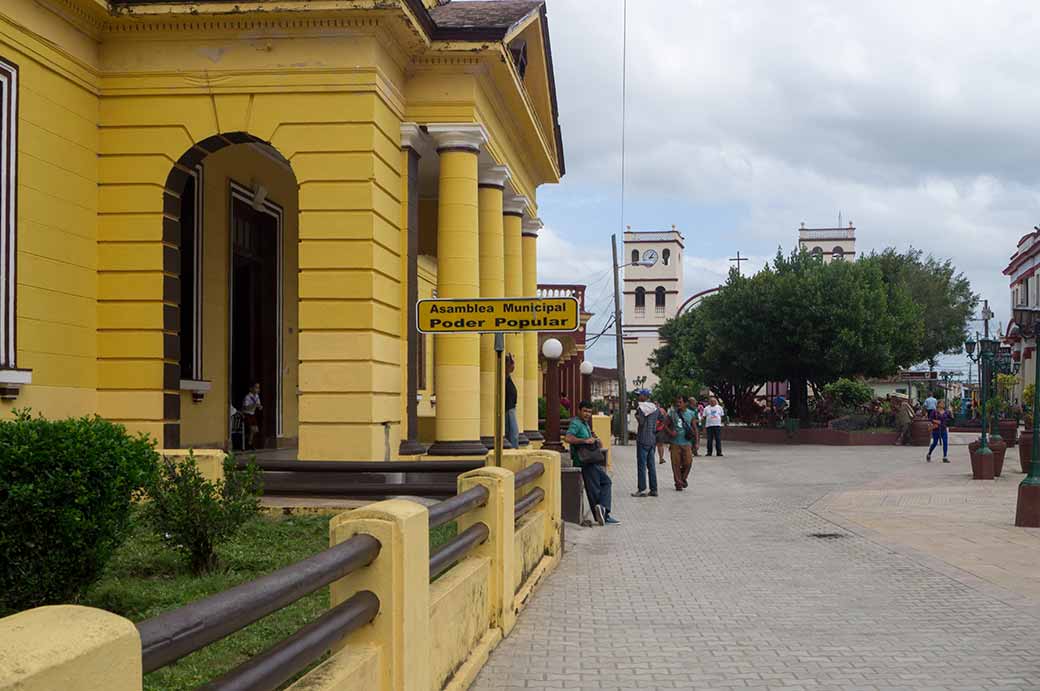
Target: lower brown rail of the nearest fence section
(270, 670)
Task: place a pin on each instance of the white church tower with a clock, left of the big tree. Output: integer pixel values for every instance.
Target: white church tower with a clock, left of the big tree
(653, 293)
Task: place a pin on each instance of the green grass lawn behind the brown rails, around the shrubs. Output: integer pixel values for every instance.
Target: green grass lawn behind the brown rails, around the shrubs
(146, 578)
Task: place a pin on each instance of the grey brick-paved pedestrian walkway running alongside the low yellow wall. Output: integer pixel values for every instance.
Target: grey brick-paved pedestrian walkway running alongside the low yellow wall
(761, 578)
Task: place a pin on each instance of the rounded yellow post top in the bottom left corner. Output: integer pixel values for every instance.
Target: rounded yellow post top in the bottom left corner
(69, 648)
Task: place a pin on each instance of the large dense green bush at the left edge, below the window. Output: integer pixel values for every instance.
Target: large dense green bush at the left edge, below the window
(67, 490)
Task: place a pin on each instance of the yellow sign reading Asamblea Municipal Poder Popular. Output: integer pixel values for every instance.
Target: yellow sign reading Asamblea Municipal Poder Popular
(498, 315)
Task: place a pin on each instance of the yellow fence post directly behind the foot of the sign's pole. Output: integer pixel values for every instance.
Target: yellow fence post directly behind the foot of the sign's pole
(498, 515)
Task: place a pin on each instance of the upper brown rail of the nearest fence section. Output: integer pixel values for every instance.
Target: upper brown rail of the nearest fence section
(175, 634)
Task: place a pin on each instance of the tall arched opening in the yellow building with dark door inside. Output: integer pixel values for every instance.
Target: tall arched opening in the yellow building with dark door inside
(237, 226)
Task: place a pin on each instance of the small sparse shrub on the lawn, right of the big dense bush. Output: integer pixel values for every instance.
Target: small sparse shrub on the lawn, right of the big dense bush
(197, 515)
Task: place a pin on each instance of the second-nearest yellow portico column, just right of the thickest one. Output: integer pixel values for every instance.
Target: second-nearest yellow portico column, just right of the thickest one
(492, 185)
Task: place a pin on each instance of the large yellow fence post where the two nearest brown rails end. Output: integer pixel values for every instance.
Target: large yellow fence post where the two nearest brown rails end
(400, 577)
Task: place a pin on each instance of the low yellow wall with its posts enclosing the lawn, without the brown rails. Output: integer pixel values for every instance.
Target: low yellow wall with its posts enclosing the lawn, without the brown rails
(427, 636)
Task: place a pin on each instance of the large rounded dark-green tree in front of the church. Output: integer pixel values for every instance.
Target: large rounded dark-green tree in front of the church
(798, 320)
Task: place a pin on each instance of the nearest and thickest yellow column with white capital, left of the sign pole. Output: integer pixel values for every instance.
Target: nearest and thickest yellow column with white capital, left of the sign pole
(457, 357)
